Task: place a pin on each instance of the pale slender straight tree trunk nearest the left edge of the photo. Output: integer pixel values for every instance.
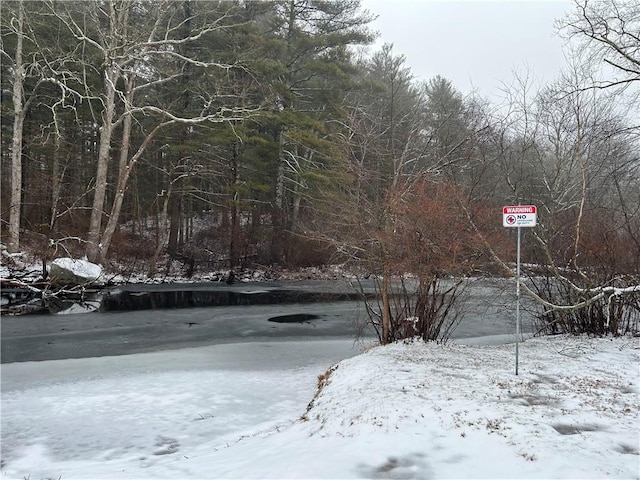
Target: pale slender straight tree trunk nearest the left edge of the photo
(16, 146)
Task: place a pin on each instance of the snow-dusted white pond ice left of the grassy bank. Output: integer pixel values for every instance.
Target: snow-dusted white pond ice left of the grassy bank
(145, 405)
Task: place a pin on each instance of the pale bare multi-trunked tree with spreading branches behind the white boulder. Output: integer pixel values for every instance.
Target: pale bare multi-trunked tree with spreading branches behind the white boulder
(134, 40)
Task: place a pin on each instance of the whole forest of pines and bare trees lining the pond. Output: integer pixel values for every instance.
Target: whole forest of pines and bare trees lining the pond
(225, 134)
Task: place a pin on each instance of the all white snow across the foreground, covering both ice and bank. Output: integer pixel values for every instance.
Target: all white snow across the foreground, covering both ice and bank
(407, 410)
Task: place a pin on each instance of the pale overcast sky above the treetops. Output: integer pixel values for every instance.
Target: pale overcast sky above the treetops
(476, 44)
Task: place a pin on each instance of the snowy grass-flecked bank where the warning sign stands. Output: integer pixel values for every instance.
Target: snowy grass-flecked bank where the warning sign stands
(416, 411)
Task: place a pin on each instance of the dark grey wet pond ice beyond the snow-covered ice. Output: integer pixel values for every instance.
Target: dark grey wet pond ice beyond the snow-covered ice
(488, 309)
